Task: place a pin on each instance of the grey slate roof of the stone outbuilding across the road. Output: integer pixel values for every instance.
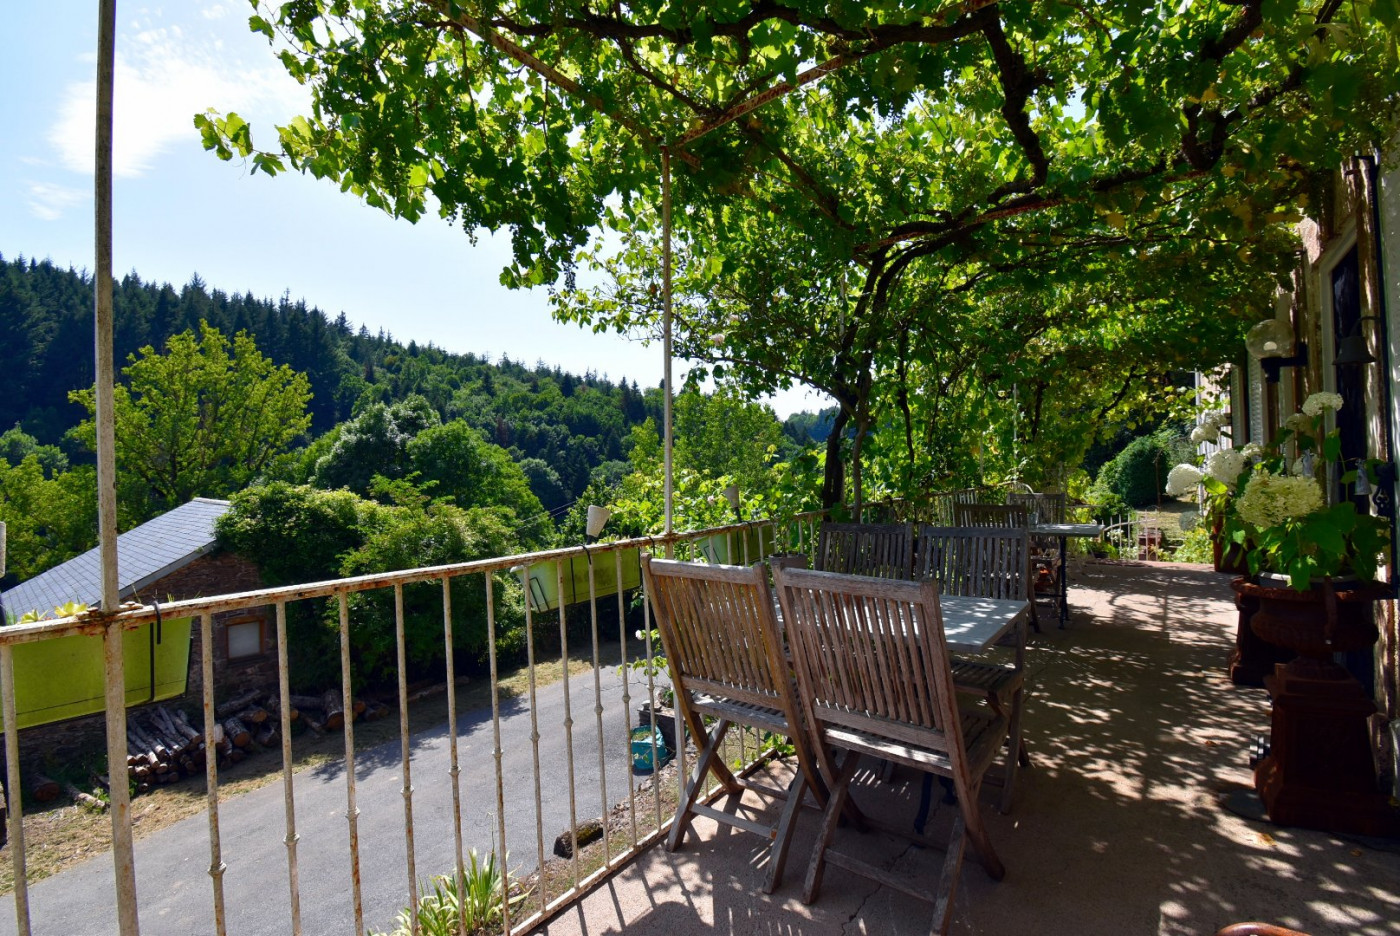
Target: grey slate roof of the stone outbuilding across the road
(145, 555)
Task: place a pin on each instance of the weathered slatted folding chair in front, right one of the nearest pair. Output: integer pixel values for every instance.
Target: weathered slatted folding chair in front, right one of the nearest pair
(874, 679)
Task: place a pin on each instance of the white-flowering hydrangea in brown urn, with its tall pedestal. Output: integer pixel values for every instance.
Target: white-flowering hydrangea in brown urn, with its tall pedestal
(1314, 569)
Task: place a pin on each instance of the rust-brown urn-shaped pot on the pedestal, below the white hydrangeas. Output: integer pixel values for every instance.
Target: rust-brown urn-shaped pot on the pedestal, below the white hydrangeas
(1317, 623)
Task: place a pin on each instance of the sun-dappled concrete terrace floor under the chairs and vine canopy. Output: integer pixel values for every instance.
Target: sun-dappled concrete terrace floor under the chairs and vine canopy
(1135, 732)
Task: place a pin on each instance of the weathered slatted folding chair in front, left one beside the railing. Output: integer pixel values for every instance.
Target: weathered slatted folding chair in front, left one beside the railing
(727, 662)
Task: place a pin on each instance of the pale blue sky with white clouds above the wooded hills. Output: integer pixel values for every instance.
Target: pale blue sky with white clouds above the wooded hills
(178, 211)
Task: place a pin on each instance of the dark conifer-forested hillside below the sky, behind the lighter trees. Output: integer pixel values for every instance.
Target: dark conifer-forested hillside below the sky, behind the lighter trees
(556, 425)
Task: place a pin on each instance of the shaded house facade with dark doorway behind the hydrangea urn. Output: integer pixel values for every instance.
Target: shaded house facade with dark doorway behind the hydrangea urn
(1343, 309)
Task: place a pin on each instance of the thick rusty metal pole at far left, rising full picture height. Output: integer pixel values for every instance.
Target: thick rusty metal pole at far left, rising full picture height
(124, 858)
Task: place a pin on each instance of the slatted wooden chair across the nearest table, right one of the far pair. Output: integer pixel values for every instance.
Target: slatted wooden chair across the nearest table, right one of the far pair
(979, 562)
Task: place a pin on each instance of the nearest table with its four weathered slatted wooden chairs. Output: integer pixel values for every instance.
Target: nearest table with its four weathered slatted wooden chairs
(856, 661)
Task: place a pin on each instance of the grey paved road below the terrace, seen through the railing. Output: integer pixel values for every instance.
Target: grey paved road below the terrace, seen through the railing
(171, 865)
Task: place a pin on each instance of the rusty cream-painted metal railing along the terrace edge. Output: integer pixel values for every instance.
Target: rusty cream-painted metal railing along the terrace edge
(516, 802)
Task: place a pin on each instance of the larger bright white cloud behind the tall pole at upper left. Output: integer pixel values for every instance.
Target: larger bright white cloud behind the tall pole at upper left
(164, 78)
